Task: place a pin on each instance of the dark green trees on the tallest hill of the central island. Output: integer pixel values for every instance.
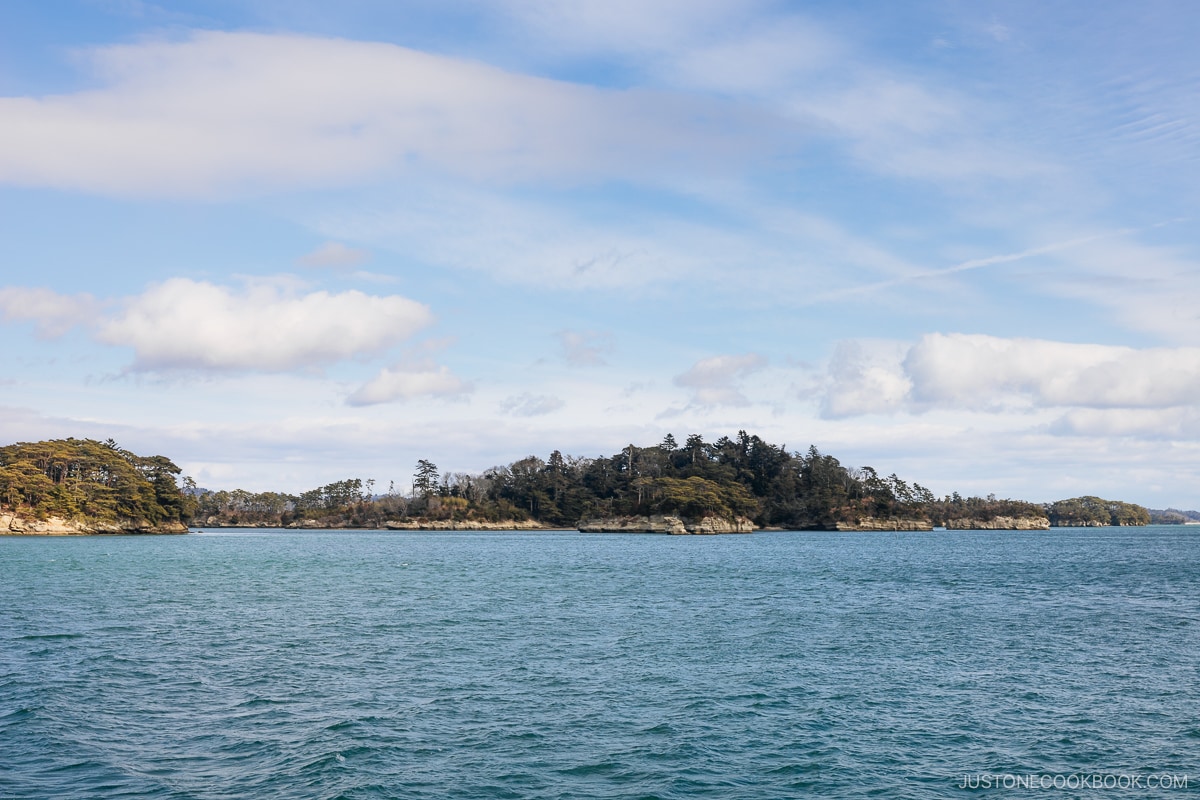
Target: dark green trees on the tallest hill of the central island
(741, 477)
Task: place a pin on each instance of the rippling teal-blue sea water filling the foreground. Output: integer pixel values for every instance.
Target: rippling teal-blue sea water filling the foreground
(363, 665)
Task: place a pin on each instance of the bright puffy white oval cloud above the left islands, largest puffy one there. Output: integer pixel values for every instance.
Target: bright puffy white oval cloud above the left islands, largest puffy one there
(183, 324)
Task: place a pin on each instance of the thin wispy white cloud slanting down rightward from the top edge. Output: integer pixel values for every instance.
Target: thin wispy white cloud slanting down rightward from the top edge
(805, 77)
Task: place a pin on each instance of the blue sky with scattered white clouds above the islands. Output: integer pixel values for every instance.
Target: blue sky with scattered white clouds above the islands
(286, 243)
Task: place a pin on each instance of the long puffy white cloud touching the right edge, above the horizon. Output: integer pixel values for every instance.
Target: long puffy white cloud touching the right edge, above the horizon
(988, 374)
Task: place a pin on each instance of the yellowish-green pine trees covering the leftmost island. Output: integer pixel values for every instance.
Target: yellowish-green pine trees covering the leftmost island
(82, 479)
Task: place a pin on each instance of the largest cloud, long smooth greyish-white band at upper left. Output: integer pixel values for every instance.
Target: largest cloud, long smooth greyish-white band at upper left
(226, 111)
